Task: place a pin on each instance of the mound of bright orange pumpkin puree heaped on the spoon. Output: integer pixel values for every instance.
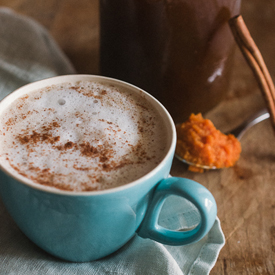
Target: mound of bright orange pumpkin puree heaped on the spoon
(199, 142)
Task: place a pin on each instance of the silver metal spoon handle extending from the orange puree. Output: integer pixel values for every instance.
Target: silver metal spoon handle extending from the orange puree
(258, 117)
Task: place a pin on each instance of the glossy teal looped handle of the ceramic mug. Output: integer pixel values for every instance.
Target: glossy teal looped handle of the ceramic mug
(190, 190)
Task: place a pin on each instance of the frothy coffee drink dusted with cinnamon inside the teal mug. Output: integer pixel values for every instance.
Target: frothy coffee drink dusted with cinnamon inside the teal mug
(81, 136)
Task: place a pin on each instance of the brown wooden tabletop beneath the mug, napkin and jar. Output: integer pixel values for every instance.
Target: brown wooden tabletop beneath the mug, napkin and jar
(245, 194)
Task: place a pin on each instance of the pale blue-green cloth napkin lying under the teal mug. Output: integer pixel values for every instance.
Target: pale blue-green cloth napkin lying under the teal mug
(28, 53)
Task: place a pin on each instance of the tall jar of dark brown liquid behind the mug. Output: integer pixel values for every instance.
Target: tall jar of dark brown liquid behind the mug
(180, 51)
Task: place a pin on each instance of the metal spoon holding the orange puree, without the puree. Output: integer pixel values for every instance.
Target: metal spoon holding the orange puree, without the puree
(238, 132)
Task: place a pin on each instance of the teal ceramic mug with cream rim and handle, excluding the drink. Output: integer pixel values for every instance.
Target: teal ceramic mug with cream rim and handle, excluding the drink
(85, 226)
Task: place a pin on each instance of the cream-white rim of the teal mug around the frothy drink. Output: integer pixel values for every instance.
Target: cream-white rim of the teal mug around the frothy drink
(82, 77)
